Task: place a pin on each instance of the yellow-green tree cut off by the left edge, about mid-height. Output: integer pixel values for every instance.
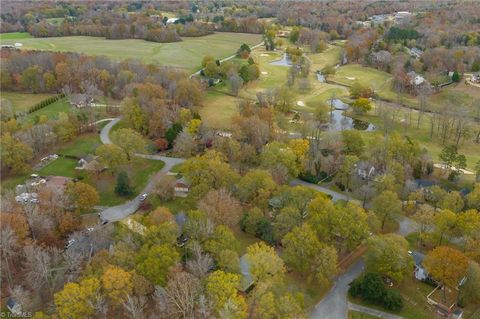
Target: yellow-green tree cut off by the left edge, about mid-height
(15, 155)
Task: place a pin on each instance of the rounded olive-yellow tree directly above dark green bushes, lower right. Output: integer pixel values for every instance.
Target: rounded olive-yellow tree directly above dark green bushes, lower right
(388, 255)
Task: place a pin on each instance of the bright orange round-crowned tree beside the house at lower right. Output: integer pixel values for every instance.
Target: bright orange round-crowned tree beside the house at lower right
(446, 265)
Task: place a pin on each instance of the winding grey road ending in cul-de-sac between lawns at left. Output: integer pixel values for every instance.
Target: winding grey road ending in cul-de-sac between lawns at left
(119, 212)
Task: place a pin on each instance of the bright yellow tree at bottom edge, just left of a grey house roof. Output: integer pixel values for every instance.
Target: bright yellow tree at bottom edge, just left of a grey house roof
(221, 289)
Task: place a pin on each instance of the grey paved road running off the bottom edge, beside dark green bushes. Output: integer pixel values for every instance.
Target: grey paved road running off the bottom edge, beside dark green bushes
(334, 305)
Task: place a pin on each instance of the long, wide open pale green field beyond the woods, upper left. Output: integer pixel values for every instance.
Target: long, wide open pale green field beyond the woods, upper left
(186, 54)
